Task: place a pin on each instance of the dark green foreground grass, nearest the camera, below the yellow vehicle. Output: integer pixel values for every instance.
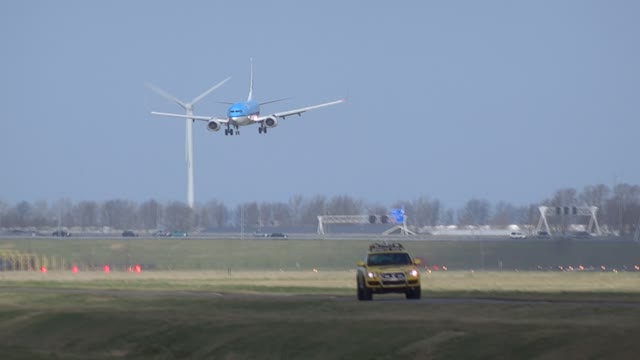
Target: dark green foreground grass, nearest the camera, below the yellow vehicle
(41, 325)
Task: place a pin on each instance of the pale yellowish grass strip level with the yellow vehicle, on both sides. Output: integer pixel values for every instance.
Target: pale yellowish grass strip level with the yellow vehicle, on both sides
(553, 286)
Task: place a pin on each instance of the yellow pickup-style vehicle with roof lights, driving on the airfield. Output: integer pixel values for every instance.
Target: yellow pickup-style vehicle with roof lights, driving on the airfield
(388, 268)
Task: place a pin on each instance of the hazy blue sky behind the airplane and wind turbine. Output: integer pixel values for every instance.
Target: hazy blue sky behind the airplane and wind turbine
(498, 100)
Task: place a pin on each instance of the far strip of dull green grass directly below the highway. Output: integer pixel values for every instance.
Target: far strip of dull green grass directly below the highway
(203, 254)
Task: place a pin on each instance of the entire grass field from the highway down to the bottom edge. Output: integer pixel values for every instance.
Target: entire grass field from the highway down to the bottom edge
(295, 300)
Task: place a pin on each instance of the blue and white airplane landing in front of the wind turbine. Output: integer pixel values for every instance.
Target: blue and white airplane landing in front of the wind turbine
(247, 113)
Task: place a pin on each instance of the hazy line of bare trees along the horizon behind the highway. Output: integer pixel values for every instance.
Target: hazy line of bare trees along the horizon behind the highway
(618, 210)
